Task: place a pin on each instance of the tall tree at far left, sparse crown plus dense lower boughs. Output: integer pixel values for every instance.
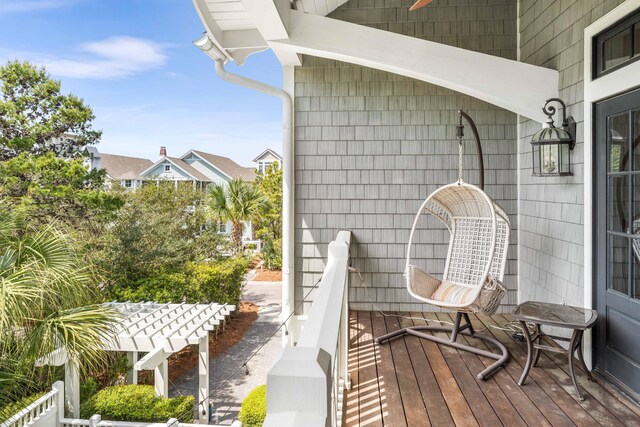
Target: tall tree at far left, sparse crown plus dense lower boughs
(41, 173)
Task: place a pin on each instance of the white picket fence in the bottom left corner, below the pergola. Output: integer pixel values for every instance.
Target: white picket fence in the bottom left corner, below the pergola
(48, 411)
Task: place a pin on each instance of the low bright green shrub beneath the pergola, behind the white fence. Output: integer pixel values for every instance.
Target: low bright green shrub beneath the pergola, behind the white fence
(135, 403)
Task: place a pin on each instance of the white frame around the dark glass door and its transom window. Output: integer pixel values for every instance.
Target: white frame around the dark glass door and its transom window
(616, 82)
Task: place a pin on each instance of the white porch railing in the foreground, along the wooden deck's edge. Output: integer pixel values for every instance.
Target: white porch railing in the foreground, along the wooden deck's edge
(305, 386)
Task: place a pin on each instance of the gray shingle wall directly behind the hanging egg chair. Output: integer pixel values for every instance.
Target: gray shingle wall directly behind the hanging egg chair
(370, 146)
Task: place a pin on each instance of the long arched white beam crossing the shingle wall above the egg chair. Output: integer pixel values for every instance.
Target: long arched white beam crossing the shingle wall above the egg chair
(495, 80)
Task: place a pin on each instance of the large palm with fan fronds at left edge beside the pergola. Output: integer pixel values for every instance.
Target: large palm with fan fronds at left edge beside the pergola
(46, 303)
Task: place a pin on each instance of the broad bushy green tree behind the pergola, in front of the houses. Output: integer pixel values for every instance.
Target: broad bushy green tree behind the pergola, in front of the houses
(158, 231)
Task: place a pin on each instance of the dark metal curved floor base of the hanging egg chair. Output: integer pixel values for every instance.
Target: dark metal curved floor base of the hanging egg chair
(458, 328)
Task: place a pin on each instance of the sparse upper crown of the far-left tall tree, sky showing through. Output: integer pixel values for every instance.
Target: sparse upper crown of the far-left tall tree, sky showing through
(34, 114)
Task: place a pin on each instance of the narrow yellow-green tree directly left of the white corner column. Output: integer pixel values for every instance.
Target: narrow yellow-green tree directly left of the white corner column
(270, 220)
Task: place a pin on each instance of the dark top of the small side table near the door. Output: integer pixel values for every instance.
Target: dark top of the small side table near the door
(565, 316)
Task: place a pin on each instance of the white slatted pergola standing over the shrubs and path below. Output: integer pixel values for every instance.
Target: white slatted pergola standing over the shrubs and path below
(159, 330)
